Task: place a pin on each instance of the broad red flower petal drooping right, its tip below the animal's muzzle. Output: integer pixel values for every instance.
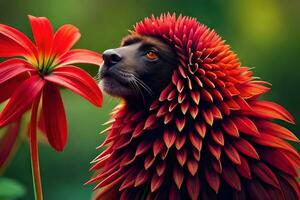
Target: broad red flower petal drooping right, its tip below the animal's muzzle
(78, 81)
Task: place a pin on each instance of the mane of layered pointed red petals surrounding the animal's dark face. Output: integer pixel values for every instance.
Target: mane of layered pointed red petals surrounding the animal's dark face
(207, 136)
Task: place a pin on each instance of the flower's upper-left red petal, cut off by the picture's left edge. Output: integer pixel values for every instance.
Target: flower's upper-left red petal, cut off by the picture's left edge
(15, 43)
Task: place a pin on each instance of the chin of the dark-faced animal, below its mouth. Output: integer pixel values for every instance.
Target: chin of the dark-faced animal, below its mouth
(114, 88)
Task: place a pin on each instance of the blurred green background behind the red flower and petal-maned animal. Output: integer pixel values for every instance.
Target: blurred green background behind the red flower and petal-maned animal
(265, 35)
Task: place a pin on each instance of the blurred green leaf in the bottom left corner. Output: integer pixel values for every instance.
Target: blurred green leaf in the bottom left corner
(10, 189)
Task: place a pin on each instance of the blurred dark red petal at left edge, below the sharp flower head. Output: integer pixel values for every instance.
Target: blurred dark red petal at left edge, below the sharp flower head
(8, 141)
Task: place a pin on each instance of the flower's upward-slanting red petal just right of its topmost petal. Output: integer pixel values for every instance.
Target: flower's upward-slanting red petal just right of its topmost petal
(64, 39)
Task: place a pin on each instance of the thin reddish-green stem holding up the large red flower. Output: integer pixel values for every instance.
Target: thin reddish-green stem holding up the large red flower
(34, 154)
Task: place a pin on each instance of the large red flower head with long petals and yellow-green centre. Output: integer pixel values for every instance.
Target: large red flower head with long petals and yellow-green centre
(35, 71)
